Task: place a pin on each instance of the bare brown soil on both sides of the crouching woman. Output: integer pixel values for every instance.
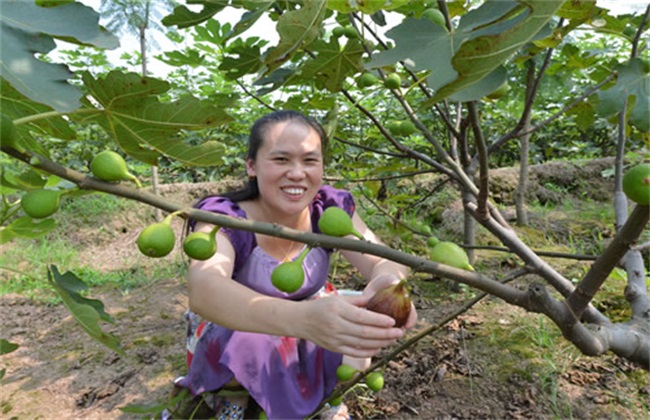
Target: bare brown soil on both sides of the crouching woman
(461, 370)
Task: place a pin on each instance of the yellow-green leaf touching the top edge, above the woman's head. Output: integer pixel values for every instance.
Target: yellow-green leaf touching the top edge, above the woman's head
(297, 29)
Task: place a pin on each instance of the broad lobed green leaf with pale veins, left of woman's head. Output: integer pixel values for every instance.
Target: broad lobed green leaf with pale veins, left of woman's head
(144, 126)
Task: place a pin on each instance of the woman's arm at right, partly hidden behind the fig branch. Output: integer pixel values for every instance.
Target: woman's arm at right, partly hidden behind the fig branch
(380, 272)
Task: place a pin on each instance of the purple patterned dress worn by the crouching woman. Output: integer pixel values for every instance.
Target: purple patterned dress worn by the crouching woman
(288, 377)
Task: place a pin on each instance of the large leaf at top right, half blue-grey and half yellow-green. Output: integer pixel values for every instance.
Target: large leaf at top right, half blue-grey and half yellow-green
(485, 38)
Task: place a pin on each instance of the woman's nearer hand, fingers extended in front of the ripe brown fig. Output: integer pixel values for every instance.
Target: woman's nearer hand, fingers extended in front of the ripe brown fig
(342, 325)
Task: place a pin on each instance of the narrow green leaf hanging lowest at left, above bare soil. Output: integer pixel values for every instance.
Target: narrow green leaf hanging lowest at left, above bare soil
(87, 312)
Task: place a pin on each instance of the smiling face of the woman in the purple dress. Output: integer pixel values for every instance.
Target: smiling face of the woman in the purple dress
(288, 167)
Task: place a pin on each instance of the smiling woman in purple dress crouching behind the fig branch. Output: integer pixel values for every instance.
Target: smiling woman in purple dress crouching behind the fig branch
(282, 348)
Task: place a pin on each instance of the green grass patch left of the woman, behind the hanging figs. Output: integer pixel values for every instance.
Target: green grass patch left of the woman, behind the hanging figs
(24, 262)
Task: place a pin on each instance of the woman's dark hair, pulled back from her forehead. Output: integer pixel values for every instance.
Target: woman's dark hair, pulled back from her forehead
(256, 138)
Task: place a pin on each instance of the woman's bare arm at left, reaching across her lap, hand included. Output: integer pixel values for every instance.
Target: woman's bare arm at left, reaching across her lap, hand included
(335, 323)
